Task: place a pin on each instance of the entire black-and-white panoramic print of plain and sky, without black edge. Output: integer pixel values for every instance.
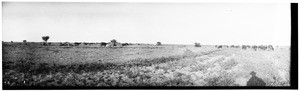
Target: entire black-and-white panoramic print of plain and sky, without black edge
(136, 44)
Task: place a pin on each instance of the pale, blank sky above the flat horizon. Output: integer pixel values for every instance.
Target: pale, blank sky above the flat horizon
(148, 22)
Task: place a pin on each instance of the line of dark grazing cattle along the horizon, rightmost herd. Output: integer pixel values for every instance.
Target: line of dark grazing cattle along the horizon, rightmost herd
(254, 47)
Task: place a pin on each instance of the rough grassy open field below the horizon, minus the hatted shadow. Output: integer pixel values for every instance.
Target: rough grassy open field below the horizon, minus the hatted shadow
(141, 65)
